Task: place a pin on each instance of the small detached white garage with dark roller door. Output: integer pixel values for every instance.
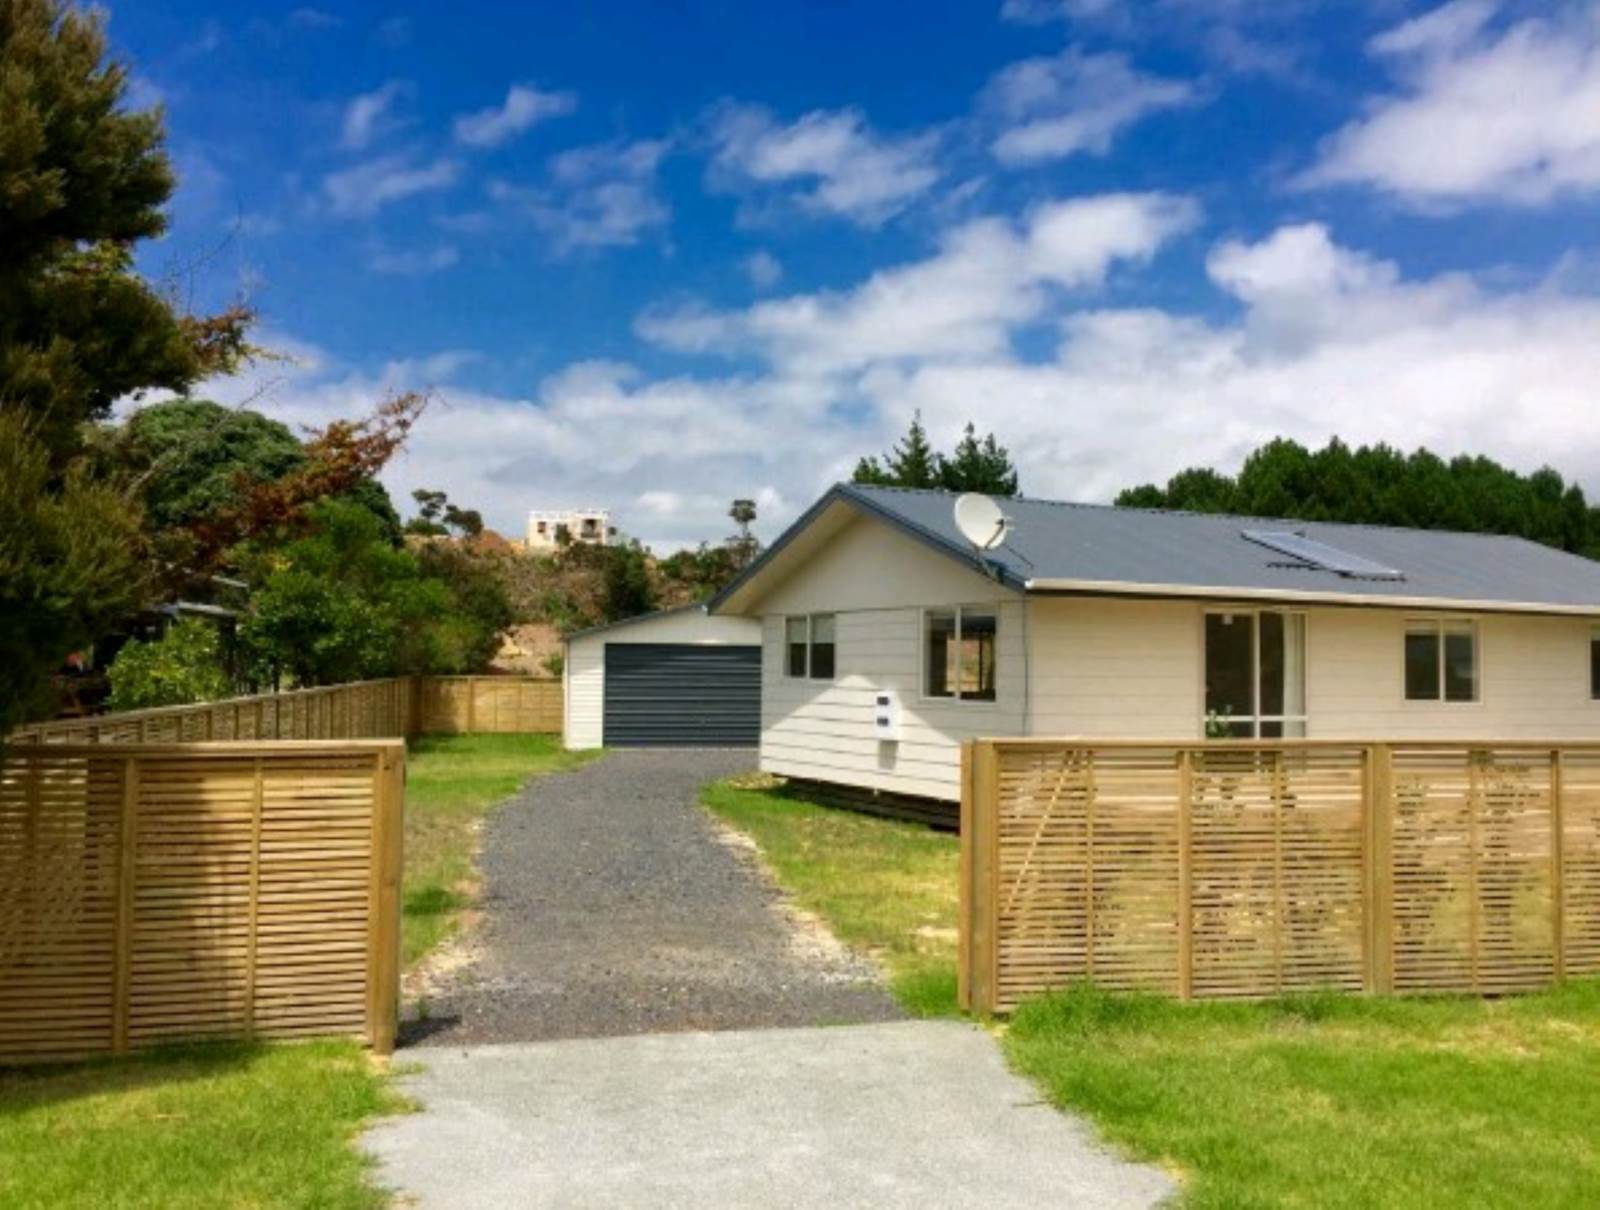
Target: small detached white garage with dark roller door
(671, 679)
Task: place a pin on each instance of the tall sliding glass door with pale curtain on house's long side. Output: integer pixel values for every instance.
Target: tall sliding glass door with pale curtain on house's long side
(1255, 675)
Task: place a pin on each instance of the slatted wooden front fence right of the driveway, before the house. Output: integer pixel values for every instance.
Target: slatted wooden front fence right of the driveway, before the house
(1250, 870)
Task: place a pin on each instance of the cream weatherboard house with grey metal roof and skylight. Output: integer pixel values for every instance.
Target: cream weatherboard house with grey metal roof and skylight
(889, 639)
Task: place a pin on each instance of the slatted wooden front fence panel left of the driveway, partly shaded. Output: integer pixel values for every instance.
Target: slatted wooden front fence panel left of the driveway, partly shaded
(169, 892)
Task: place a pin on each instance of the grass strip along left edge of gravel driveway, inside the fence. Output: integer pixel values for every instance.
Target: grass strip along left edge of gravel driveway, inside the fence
(452, 785)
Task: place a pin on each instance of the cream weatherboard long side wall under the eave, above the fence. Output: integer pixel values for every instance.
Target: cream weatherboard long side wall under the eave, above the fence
(1135, 668)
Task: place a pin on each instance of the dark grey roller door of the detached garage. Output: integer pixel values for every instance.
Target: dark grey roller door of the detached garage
(682, 695)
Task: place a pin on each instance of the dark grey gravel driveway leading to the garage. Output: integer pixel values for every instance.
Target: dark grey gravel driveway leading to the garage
(614, 905)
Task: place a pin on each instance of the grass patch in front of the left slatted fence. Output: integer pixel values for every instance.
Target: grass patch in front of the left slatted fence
(226, 1126)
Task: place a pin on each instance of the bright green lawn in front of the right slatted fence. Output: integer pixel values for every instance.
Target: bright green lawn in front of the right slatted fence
(1337, 1100)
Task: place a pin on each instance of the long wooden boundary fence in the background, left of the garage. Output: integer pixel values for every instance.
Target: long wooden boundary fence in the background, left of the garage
(366, 710)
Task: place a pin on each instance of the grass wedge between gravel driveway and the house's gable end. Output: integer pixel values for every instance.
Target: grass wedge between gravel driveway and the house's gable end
(886, 887)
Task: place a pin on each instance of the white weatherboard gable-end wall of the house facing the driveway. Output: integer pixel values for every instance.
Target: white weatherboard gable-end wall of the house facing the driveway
(878, 583)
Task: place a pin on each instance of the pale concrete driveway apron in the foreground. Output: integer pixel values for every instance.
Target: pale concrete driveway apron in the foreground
(905, 1115)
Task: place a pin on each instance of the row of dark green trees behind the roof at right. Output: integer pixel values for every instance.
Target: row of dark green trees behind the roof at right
(1380, 486)
